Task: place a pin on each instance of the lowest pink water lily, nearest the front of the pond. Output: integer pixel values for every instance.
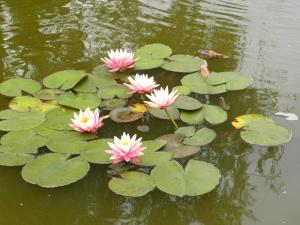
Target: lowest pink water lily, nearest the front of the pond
(126, 149)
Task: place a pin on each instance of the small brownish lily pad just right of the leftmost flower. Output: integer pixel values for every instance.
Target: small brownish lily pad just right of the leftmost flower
(124, 115)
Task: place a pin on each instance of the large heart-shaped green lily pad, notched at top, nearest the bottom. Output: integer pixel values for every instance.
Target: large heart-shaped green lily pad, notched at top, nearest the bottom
(197, 178)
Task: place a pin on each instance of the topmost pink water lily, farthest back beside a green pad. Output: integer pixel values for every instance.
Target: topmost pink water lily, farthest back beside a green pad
(119, 60)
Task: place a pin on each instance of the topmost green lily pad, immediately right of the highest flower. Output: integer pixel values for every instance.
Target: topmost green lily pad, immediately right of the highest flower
(151, 56)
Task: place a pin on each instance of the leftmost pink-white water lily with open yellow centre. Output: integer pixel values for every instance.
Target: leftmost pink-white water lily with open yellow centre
(87, 121)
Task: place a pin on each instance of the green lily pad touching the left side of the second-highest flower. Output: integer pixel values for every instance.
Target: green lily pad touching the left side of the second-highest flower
(117, 90)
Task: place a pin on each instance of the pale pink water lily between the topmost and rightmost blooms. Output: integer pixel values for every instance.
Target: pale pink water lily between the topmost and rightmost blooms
(141, 84)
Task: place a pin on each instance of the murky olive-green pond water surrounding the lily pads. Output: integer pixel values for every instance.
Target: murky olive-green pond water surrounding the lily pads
(259, 185)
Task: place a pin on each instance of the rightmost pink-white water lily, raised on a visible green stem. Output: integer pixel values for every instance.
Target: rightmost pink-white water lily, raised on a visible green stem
(161, 98)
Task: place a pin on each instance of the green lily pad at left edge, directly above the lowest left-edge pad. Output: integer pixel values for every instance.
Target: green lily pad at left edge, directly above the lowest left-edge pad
(27, 141)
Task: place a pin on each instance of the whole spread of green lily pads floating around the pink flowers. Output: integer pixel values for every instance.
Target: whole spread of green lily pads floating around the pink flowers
(39, 136)
